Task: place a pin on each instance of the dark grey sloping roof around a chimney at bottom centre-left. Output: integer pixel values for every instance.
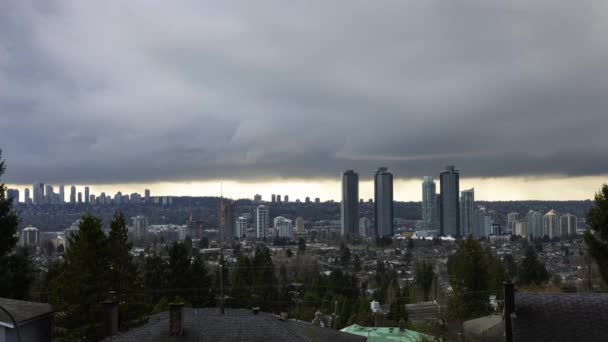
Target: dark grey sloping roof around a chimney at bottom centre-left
(235, 325)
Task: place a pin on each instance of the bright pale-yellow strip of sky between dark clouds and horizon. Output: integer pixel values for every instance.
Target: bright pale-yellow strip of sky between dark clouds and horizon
(487, 189)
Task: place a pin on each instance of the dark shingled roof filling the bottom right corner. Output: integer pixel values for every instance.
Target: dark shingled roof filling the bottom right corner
(560, 317)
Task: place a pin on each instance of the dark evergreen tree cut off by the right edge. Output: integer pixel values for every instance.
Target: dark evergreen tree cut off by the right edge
(596, 237)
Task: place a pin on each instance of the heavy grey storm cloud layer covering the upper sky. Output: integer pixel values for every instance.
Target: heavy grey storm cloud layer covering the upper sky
(149, 91)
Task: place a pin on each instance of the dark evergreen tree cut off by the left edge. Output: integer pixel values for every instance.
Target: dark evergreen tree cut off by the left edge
(16, 269)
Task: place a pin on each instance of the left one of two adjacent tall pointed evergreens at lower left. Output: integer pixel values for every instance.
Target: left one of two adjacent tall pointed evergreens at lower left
(83, 284)
